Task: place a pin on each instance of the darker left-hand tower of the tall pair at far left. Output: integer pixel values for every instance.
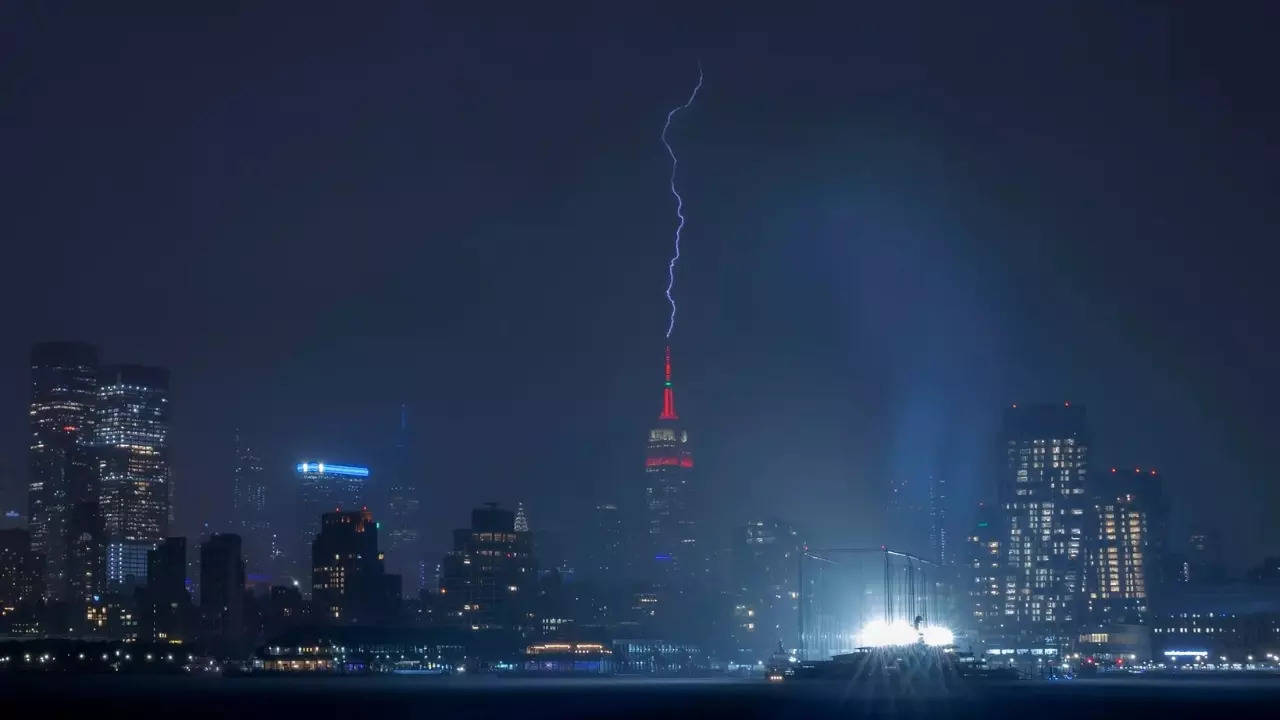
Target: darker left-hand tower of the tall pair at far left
(63, 394)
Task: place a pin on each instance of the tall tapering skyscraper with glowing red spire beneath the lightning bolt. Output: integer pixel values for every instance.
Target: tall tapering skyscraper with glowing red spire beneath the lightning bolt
(669, 484)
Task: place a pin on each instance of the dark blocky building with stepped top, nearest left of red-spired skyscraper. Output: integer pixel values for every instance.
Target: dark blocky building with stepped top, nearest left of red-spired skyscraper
(490, 580)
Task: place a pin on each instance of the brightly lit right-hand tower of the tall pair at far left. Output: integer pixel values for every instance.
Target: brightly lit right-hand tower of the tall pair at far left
(131, 441)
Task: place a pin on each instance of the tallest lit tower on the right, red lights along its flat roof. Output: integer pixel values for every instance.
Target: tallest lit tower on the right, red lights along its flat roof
(1044, 504)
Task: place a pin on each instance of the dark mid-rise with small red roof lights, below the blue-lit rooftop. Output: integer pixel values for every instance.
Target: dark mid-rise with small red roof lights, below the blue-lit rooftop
(349, 577)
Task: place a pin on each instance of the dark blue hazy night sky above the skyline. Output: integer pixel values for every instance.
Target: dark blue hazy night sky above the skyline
(900, 221)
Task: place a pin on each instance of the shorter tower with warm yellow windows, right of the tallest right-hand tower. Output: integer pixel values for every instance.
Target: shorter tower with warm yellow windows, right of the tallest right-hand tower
(1127, 546)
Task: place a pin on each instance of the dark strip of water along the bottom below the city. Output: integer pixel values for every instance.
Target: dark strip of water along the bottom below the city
(392, 698)
